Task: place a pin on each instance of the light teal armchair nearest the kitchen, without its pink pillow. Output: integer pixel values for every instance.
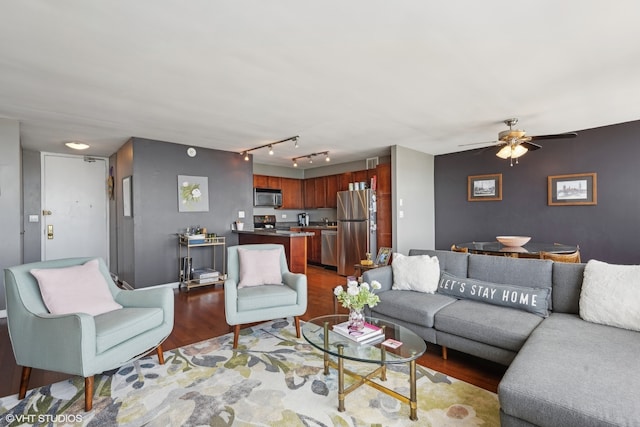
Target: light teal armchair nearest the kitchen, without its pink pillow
(260, 303)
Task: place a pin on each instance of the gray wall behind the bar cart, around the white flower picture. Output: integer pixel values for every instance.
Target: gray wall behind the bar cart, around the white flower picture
(147, 241)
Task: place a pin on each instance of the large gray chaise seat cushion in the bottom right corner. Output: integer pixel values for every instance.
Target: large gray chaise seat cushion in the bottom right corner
(573, 373)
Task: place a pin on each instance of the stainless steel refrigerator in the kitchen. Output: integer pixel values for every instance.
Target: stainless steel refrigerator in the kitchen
(356, 228)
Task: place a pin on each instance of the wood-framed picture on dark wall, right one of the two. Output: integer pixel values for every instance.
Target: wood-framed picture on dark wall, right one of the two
(574, 189)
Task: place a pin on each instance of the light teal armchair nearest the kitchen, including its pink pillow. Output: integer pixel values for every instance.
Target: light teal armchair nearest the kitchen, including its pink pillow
(260, 287)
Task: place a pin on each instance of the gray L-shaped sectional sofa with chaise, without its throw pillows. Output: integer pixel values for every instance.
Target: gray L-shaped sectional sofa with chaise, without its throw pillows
(563, 371)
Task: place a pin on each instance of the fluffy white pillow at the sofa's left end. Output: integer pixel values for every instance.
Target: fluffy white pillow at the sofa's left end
(415, 273)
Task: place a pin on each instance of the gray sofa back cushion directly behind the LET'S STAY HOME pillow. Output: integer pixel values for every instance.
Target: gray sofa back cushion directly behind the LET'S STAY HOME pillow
(533, 273)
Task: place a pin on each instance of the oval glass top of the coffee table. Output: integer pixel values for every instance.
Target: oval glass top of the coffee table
(412, 345)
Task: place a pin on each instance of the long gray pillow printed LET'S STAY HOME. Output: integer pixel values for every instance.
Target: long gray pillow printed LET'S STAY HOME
(533, 300)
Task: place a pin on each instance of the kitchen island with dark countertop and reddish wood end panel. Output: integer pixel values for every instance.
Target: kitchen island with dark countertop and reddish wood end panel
(294, 242)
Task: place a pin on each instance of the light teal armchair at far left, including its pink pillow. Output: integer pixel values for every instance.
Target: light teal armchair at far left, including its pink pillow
(57, 320)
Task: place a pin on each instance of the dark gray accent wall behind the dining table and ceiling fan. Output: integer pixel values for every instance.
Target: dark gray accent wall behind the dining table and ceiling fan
(608, 231)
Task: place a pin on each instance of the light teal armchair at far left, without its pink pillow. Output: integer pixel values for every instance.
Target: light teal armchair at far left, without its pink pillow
(79, 343)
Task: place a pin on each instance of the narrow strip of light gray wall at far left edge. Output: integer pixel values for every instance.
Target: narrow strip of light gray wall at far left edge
(10, 198)
